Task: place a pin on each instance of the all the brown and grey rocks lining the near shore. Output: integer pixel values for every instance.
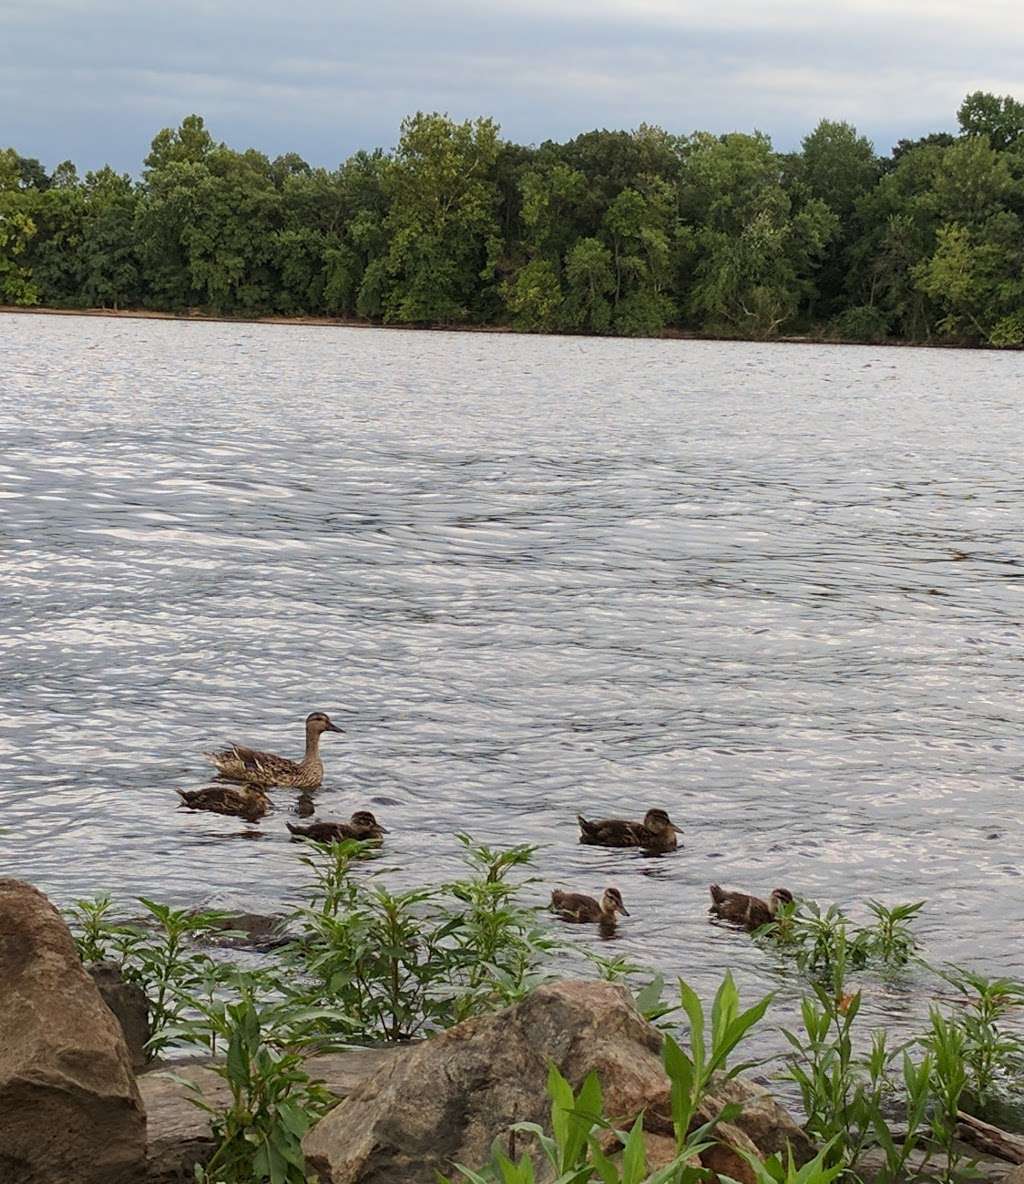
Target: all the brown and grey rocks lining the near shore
(76, 1106)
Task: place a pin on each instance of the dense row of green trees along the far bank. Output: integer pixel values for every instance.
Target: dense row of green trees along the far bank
(622, 233)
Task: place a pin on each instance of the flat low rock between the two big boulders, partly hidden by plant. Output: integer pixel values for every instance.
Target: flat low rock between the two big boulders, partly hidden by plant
(179, 1131)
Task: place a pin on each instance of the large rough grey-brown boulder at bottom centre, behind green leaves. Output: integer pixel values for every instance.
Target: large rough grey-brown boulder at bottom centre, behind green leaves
(448, 1099)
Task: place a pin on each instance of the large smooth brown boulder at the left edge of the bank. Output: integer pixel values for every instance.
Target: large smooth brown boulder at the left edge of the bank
(69, 1106)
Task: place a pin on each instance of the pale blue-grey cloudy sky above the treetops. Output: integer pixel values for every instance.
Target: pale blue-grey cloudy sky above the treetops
(93, 81)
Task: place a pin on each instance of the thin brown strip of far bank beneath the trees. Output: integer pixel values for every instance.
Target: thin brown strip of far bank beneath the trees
(340, 323)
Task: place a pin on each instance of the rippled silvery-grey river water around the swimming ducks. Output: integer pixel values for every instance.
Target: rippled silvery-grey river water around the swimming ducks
(776, 590)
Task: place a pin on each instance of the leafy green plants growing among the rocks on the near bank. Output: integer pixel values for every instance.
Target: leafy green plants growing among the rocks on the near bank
(358, 963)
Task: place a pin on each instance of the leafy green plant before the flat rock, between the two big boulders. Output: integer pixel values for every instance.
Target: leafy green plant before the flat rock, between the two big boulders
(274, 1102)
